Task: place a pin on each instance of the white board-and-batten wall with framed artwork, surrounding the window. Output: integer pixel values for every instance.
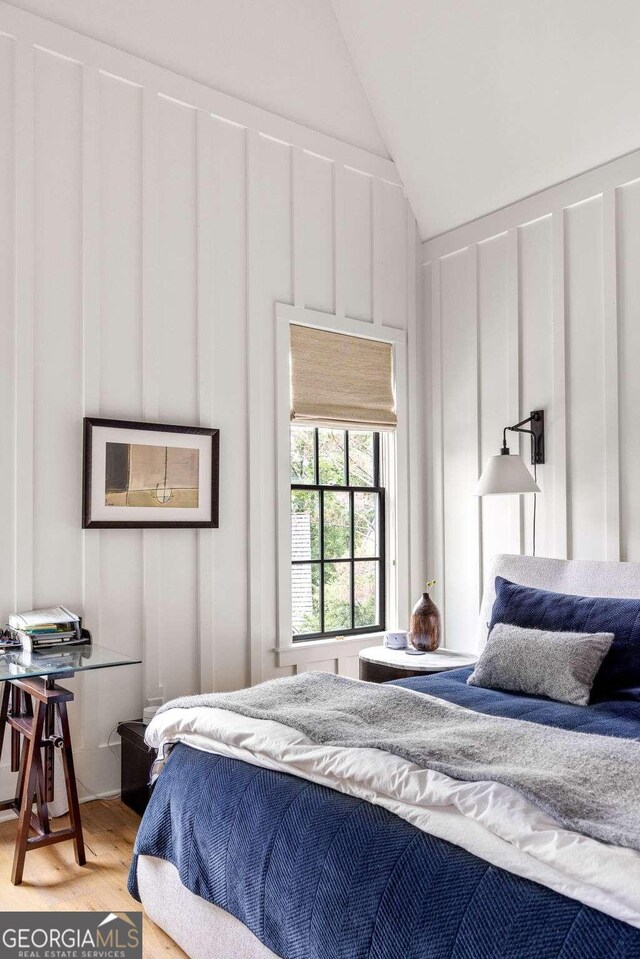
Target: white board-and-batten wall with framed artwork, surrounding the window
(148, 226)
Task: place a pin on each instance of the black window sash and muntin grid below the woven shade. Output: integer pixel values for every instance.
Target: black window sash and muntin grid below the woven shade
(380, 558)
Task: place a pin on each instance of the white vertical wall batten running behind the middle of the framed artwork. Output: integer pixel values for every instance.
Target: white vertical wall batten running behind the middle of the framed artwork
(151, 538)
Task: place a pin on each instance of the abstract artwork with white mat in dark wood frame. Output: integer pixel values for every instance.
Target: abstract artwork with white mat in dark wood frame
(149, 475)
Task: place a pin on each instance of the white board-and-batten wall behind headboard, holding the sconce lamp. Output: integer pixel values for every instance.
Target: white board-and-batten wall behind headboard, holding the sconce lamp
(536, 306)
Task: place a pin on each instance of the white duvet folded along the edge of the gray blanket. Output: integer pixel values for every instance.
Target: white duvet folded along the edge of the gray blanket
(488, 819)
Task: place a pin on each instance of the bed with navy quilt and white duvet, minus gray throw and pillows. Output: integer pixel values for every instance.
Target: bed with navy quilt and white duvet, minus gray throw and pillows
(242, 855)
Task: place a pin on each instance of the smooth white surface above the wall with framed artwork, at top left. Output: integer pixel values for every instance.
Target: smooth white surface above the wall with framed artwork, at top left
(287, 56)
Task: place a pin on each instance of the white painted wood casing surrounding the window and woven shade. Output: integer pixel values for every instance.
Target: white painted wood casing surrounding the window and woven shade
(395, 478)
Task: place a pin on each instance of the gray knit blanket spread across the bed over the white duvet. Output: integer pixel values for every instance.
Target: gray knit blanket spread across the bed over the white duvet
(588, 783)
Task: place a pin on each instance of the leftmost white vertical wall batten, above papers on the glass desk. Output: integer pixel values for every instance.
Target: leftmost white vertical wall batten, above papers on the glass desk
(24, 341)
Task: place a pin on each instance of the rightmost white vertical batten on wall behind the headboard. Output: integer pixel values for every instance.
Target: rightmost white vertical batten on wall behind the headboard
(611, 372)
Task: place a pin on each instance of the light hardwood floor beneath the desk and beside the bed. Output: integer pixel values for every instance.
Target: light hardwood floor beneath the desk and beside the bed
(52, 881)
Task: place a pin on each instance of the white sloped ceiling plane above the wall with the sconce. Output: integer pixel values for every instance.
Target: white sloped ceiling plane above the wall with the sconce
(483, 103)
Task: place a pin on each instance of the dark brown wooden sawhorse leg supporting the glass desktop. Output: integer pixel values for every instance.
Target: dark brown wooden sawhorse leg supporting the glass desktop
(37, 702)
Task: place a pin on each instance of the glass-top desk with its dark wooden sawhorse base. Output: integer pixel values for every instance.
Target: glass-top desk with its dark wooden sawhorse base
(35, 709)
